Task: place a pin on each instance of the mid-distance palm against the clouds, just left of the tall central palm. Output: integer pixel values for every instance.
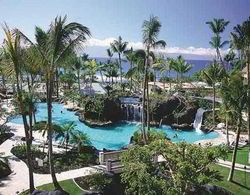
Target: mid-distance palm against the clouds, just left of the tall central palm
(118, 46)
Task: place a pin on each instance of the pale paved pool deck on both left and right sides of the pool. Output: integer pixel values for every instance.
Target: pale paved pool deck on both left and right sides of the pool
(18, 180)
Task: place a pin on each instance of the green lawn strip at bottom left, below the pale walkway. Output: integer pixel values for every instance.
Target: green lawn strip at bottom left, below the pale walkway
(68, 185)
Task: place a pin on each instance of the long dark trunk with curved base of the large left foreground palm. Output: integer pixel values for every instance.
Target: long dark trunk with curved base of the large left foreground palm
(50, 132)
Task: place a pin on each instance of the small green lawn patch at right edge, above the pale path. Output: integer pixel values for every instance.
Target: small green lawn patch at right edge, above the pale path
(242, 156)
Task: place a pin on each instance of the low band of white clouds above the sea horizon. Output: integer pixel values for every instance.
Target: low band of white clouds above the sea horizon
(199, 51)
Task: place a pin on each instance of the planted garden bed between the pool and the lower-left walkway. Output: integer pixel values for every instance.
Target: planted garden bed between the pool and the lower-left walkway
(63, 161)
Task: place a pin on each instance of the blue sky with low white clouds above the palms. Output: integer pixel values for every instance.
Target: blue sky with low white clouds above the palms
(183, 22)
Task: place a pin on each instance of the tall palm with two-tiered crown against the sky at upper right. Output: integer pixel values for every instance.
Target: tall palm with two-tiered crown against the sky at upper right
(217, 26)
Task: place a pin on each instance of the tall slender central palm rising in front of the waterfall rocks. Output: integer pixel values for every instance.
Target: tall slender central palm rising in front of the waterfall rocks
(151, 29)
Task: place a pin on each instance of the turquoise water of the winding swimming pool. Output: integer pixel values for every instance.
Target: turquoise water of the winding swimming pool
(113, 137)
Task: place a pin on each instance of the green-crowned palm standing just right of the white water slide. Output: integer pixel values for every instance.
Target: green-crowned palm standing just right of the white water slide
(212, 75)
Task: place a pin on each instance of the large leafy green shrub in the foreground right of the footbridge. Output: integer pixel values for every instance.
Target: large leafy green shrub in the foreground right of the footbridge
(184, 168)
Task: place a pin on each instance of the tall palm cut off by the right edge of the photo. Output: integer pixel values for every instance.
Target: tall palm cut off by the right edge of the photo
(241, 42)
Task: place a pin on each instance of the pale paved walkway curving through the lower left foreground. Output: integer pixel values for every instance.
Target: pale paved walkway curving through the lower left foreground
(19, 179)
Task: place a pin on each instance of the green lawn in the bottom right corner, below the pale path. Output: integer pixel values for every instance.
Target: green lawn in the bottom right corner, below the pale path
(239, 186)
